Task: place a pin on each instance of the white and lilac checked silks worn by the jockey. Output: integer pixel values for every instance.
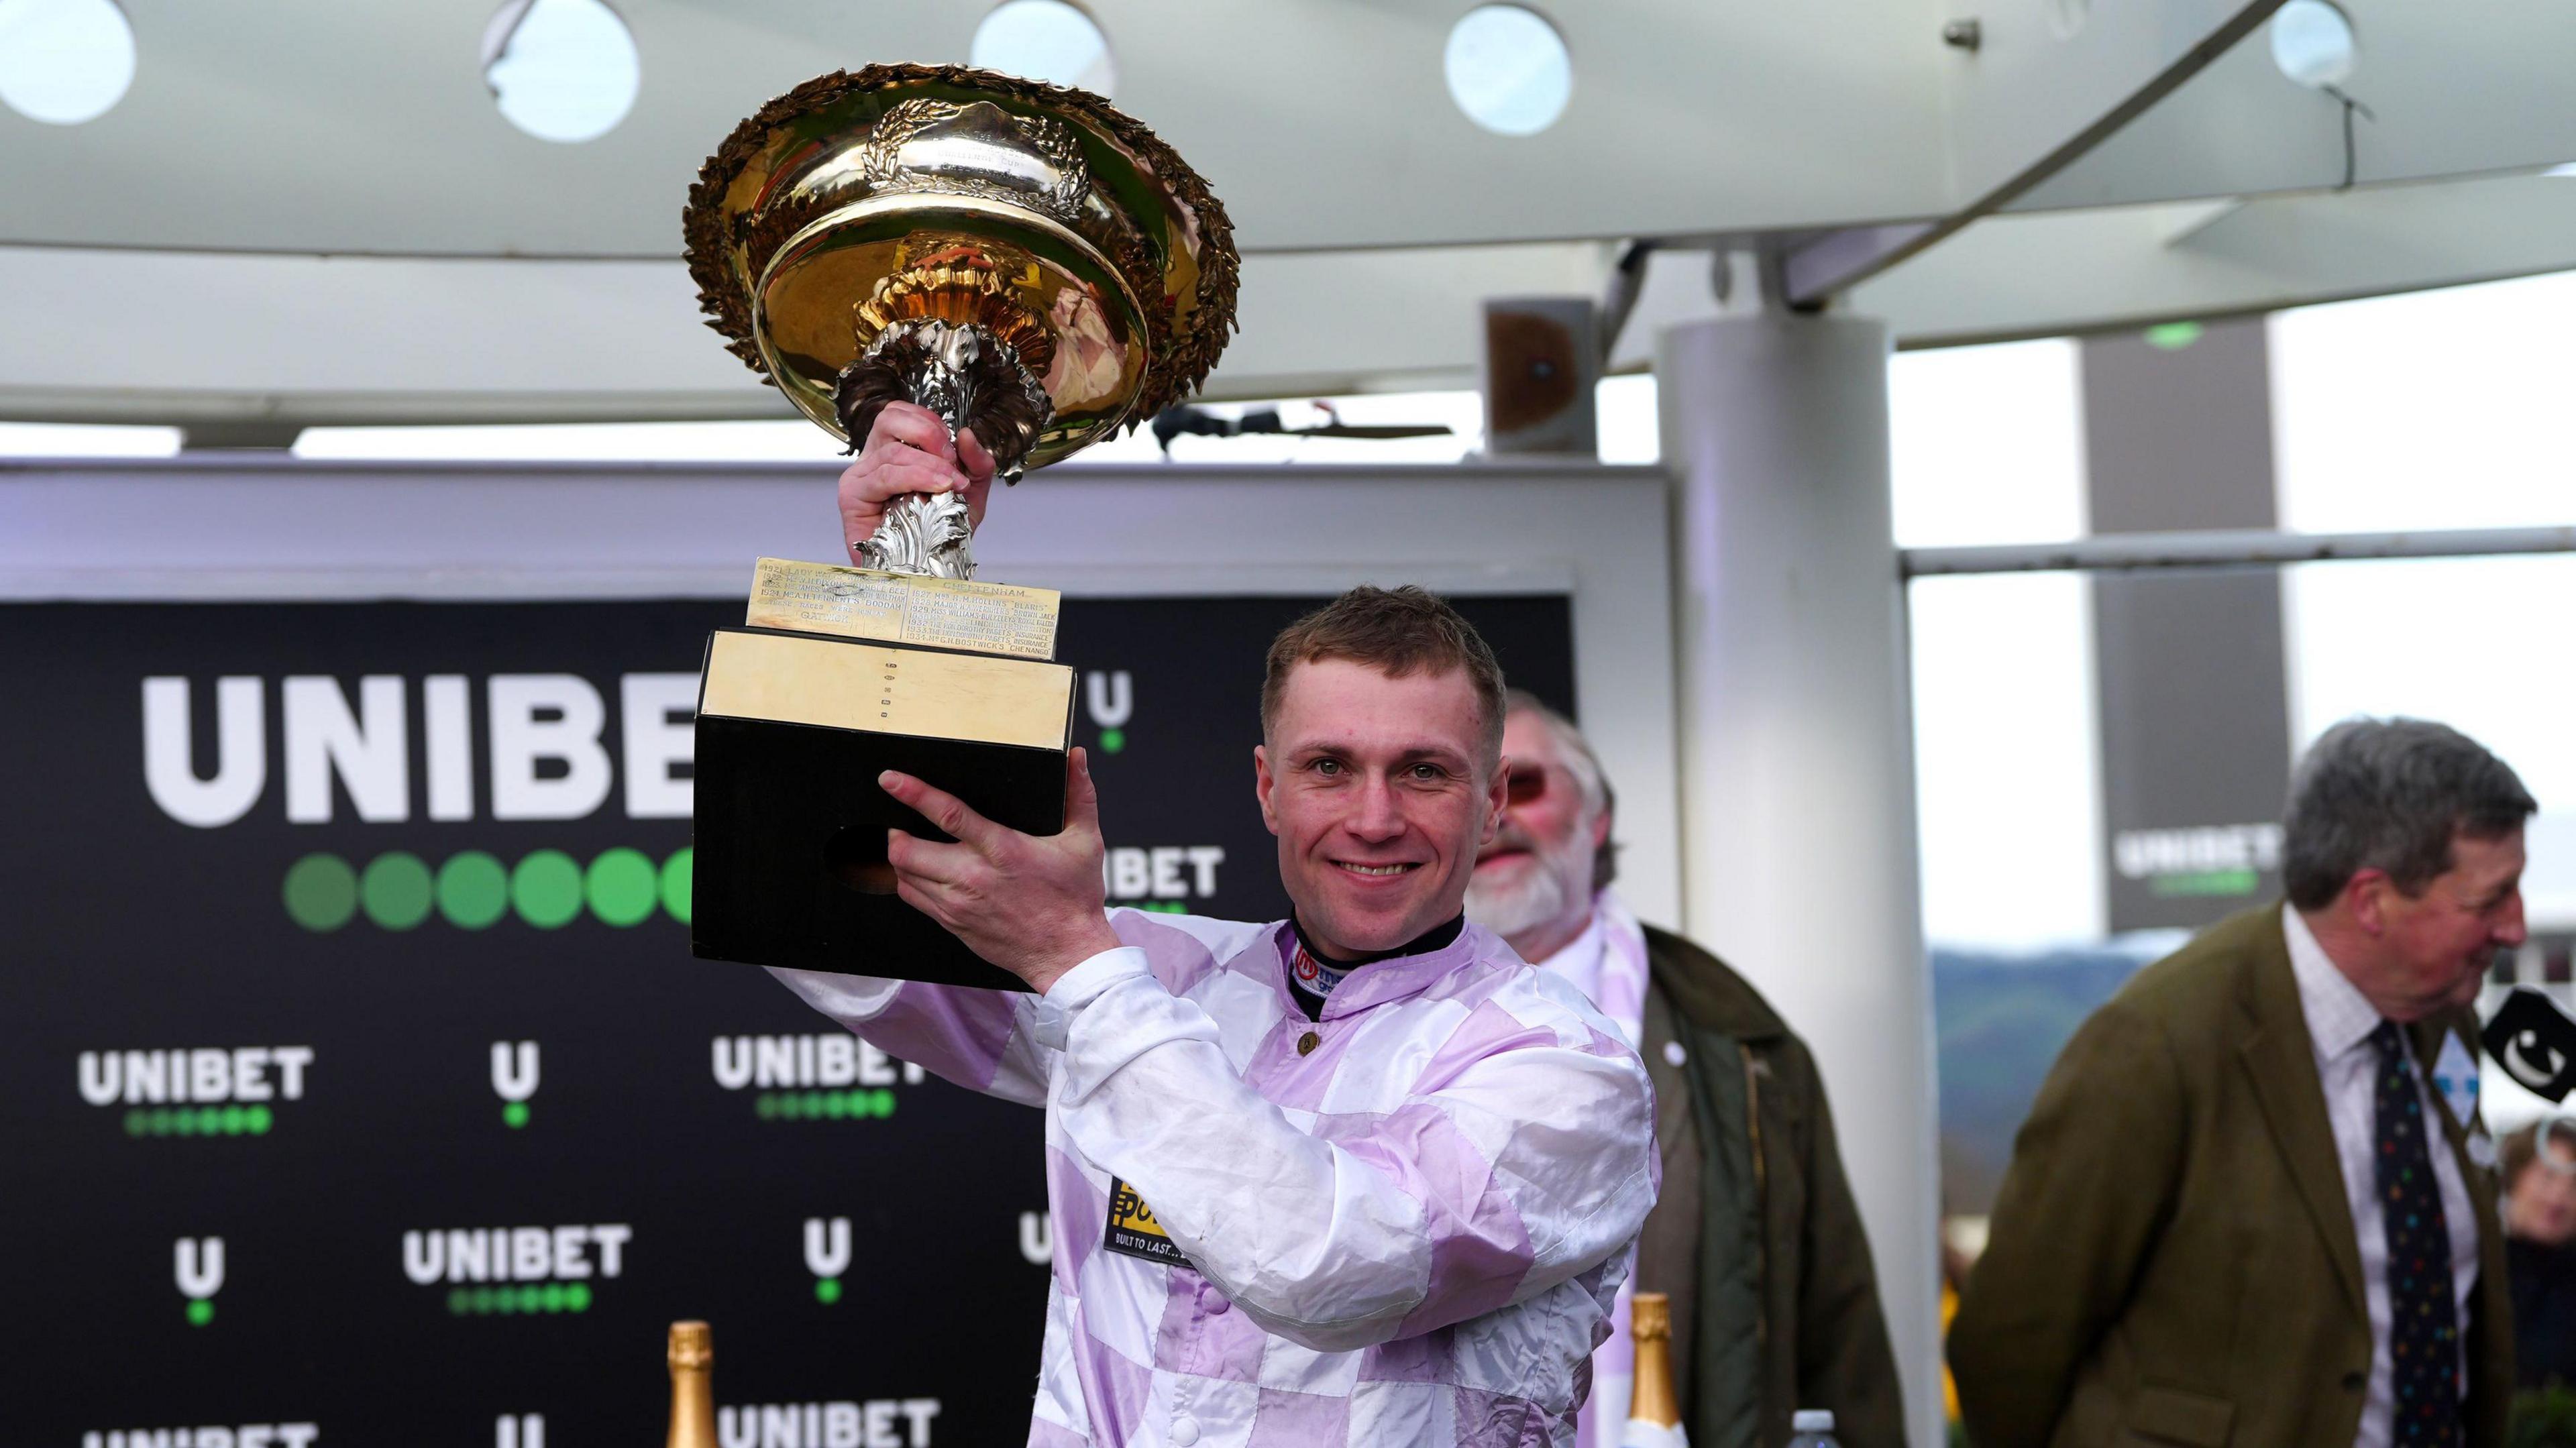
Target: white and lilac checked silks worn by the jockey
(1410, 1233)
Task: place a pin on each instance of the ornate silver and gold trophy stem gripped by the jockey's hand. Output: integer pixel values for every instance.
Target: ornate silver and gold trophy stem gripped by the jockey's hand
(972, 380)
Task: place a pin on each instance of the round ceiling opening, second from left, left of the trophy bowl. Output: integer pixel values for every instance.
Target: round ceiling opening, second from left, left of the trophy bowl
(563, 71)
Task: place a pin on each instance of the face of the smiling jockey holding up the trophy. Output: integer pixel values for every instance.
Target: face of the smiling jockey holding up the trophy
(1379, 795)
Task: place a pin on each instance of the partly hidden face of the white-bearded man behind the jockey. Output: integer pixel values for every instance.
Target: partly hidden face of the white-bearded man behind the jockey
(1537, 877)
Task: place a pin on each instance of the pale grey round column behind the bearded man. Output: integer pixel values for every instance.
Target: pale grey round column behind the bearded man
(1799, 854)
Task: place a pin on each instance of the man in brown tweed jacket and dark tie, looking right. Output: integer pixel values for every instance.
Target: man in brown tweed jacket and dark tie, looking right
(2255, 1202)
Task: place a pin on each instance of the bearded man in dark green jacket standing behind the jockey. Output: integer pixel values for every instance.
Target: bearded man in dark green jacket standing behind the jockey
(1756, 1238)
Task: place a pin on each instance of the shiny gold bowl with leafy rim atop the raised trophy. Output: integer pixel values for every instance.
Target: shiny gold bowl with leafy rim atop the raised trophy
(1019, 256)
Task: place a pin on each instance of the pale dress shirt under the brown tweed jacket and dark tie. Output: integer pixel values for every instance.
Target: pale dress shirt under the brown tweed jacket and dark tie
(2340, 1024)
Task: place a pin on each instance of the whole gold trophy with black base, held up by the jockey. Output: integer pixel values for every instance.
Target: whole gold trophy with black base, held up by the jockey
(1024, 262)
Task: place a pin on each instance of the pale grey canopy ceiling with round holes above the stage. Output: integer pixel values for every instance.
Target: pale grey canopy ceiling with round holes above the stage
(313, 213)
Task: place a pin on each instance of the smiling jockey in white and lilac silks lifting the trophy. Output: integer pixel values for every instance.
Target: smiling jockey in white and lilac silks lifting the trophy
(1356, 1176)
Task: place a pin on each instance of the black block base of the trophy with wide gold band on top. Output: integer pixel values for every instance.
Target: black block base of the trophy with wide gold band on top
(792, 823)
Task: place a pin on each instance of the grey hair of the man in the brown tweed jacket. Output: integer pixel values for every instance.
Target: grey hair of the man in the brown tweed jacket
(2389, 795)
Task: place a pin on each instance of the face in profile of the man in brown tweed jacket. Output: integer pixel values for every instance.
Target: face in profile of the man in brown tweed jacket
(2438, 944)
